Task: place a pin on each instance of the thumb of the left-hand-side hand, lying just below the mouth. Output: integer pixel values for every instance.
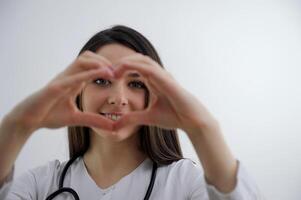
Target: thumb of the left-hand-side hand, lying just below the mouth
(91, 120)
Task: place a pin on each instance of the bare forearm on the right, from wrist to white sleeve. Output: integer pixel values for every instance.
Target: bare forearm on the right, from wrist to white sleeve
(220, 167)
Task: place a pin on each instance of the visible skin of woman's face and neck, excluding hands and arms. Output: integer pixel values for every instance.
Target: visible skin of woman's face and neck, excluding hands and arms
(113, 154)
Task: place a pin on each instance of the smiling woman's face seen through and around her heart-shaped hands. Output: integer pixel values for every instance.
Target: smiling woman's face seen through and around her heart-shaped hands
(126, 94)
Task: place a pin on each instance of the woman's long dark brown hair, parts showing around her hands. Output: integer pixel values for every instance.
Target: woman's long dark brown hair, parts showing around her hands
(161, 145)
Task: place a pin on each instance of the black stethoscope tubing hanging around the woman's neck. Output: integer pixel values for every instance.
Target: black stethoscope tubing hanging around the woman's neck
(75, 195)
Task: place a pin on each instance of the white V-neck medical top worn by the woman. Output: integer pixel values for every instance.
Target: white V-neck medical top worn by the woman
(181, 180)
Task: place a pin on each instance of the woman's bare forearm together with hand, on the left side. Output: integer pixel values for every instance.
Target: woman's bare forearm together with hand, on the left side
(52, 107)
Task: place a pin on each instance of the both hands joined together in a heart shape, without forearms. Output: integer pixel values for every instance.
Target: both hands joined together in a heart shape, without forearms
(170, 106)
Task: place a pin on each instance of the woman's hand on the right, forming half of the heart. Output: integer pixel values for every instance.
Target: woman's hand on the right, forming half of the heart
(170, 105)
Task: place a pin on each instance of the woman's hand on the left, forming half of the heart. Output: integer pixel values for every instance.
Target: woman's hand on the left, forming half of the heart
(54, 105)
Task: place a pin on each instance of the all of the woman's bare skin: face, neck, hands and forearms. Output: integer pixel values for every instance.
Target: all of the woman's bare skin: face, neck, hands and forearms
(114, 152)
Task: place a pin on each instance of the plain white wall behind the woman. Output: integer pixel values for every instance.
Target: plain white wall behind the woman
(240, 58)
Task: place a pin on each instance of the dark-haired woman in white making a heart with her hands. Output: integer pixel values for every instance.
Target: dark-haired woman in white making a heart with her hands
(122, 110)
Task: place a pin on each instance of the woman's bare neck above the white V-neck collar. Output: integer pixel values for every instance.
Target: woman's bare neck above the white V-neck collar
(107, 159)
